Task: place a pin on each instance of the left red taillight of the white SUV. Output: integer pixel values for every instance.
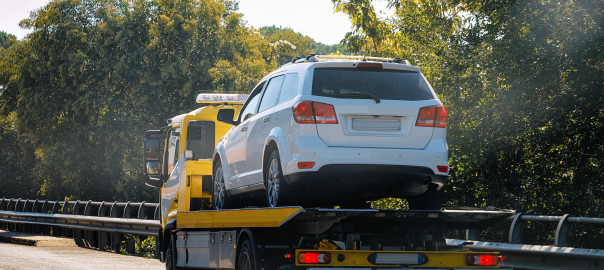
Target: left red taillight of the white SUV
(310, 112)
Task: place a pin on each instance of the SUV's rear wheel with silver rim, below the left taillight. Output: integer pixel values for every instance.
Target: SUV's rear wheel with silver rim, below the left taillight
(276, 187)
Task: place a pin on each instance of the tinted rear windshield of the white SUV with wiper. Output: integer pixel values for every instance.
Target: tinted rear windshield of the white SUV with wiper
(383, 84)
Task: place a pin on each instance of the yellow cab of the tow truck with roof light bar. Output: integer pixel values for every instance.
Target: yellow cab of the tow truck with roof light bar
(188, 143)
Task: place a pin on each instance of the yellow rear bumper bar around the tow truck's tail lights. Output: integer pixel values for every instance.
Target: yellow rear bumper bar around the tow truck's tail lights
(359, 258)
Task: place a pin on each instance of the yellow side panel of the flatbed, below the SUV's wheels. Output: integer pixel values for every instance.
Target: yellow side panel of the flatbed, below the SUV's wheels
(236, 218)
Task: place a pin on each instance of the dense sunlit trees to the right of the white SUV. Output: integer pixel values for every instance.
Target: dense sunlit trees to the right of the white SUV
(523, 82)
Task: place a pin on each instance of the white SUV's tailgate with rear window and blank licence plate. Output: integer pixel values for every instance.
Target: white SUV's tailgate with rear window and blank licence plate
(375, 107)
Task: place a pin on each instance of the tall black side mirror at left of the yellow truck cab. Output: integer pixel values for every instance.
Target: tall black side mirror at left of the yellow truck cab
(152, 160)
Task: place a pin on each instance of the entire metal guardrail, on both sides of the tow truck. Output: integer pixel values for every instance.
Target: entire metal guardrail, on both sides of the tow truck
(103, 224)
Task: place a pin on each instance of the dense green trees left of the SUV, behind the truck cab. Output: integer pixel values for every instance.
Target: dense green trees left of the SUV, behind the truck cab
(80, 90)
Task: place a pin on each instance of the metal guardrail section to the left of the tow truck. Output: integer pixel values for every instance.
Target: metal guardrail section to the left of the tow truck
(98, 224)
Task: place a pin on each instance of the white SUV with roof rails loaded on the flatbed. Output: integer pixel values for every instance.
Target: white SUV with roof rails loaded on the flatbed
(335, 130)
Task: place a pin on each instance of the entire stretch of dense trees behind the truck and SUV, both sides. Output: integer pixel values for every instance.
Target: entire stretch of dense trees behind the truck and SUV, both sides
(523, 82)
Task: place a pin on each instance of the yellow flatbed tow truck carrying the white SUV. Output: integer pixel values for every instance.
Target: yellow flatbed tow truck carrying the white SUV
(178, 161)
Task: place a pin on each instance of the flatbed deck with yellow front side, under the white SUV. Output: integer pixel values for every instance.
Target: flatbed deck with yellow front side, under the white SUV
(278, 217)
